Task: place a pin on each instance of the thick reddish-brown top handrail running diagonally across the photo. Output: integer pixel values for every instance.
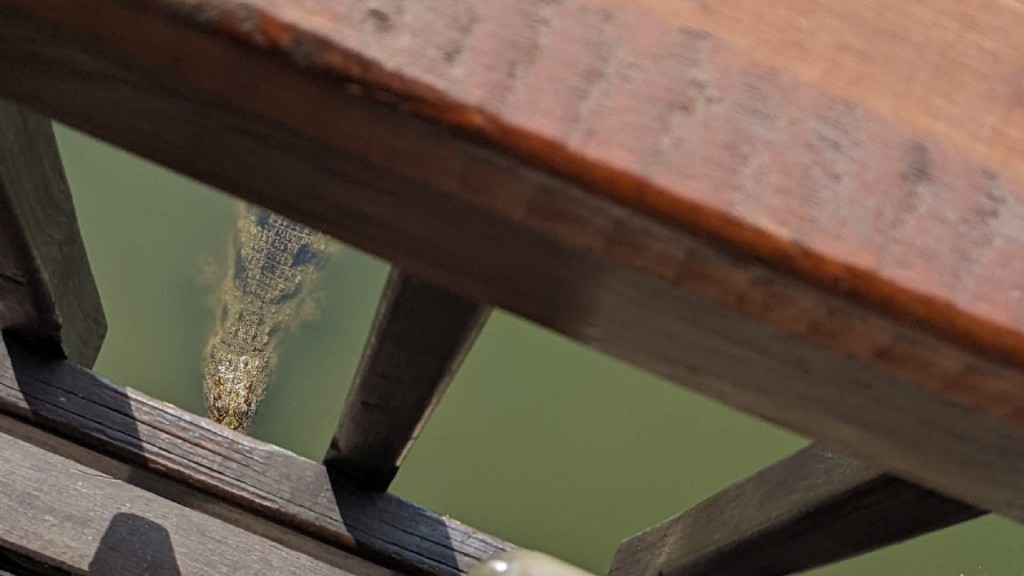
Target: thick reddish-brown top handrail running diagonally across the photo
(826, 251)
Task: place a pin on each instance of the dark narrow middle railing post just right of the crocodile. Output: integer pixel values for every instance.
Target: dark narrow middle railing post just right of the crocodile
(419, 339)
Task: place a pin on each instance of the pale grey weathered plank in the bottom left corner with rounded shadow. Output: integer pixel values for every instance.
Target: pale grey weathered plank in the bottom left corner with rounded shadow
(68, 515)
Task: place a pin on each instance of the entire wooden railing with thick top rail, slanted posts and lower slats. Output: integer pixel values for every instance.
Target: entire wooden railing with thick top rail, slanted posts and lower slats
(828, 240)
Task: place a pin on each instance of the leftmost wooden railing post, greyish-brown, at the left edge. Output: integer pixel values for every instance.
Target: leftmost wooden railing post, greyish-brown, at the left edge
(47, 285)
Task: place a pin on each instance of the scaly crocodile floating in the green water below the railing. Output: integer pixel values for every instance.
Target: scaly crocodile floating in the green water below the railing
(274, 263)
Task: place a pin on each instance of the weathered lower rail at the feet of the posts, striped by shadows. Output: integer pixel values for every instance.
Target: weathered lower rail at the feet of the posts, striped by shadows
(250, 476)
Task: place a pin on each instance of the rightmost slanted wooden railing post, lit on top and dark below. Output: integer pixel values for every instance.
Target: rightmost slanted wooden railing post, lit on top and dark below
(808, 511)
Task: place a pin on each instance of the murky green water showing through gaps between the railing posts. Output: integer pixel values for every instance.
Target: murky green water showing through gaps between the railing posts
(538, 441)
